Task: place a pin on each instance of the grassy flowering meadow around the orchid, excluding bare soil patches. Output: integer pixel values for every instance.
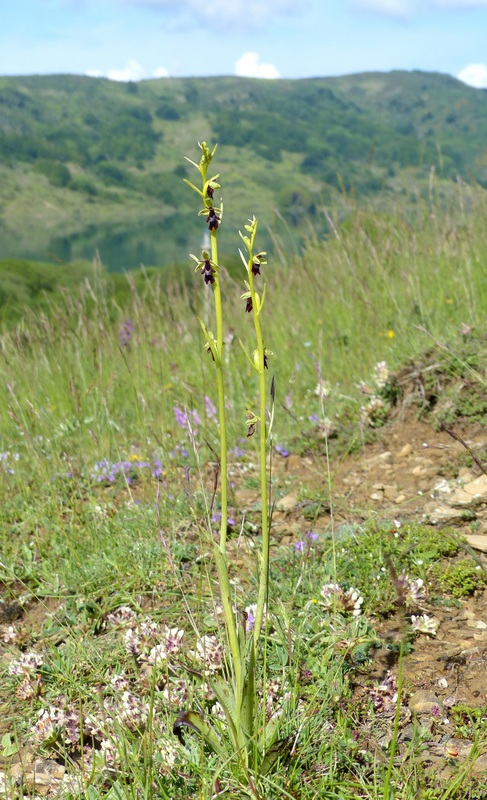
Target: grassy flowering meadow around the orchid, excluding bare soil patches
(110, 608)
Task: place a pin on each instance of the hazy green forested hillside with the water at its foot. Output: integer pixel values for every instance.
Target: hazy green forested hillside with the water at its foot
(78, 153)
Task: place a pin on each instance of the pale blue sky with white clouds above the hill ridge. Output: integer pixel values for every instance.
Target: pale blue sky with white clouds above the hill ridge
(138, 39)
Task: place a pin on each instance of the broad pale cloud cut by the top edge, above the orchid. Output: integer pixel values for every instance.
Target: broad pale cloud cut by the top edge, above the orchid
(226, 13)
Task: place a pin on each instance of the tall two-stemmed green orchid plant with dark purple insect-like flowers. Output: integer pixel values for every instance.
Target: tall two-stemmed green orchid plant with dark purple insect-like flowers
(253, 738)
